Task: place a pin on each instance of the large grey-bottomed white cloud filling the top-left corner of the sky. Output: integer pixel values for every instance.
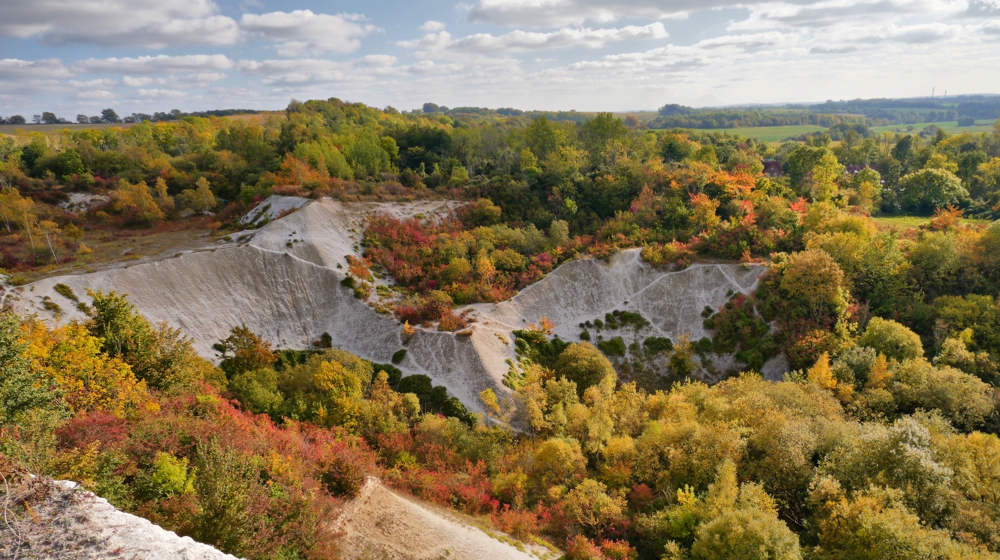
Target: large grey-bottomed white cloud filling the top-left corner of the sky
(119, 23)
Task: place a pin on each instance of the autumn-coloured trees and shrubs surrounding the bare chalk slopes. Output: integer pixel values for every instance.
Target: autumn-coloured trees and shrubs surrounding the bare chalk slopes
(880, 442)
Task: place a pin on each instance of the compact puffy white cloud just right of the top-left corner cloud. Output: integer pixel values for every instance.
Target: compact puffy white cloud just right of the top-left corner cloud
(303, 32)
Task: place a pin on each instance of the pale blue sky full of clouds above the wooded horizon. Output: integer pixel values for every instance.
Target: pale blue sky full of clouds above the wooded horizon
(80, 56)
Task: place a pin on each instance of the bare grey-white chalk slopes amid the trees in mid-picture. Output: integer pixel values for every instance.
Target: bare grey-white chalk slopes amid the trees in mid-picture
(284, 284)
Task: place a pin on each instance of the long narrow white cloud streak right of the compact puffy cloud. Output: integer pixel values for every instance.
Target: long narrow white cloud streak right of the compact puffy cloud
(523, 41)
